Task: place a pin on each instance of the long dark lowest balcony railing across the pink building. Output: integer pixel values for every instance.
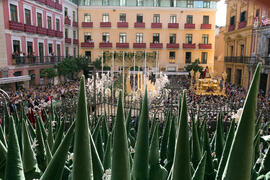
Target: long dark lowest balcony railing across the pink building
(35, 60)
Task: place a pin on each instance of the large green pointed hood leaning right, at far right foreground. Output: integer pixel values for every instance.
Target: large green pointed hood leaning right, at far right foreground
(239, 162)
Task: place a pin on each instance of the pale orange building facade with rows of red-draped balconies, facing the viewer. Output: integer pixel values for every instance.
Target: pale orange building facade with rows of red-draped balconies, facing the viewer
(179, 32)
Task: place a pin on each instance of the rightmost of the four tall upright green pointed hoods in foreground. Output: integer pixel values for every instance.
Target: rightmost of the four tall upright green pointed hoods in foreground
(181, 168)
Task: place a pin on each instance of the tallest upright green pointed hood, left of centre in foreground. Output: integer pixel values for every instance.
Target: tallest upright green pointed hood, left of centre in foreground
(82, 164)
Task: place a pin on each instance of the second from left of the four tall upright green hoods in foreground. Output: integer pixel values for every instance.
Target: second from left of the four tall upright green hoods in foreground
(120, 155)
